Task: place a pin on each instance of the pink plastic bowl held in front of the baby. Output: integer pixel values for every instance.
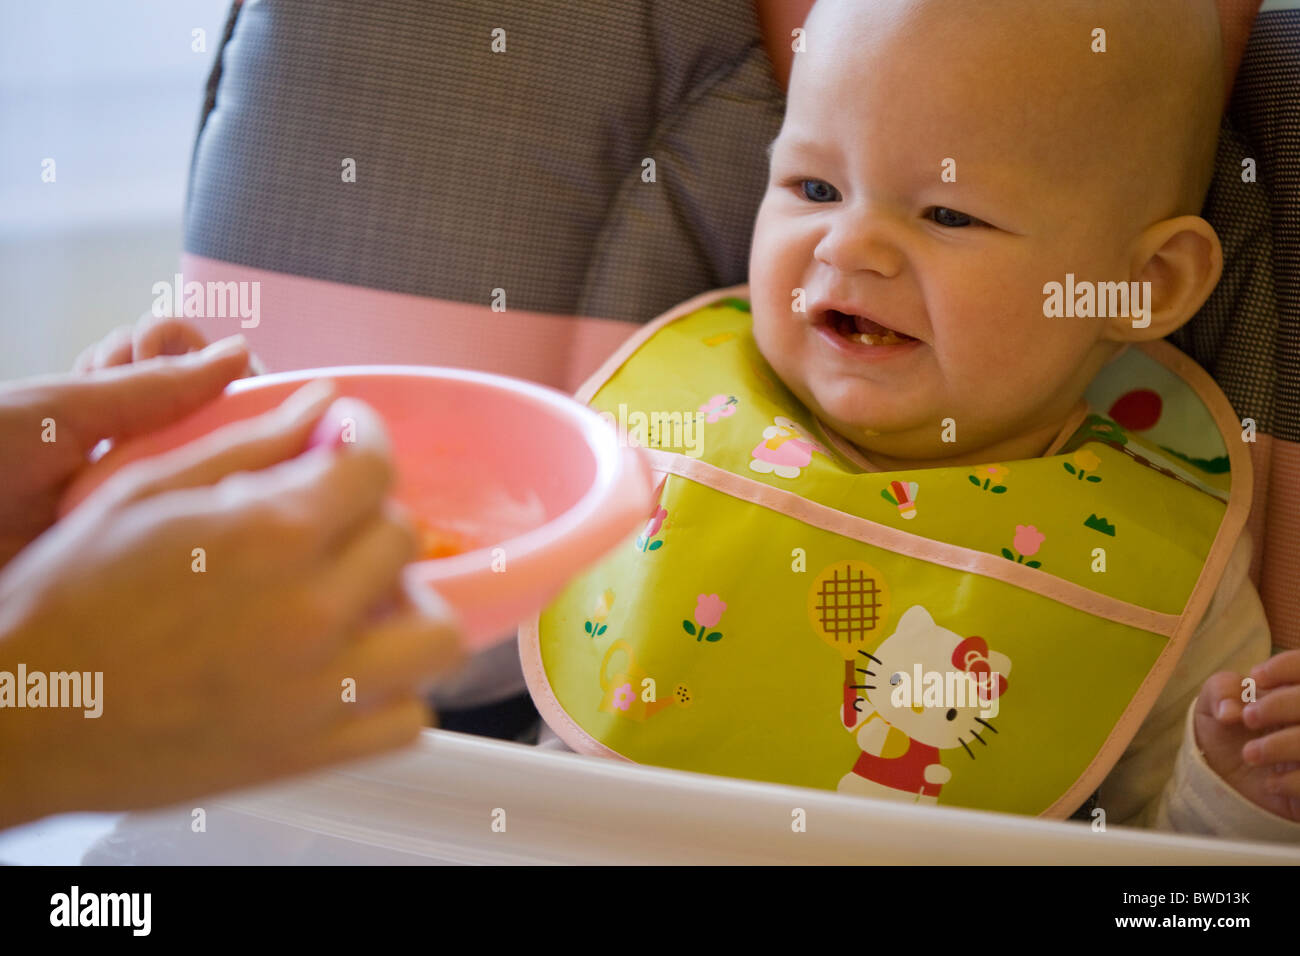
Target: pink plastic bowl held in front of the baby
(522, 468)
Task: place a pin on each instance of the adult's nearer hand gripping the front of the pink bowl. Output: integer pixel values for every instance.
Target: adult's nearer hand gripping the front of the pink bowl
(237, 672)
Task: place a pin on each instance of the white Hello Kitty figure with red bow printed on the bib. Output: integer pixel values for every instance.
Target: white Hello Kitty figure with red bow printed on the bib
(903, 729)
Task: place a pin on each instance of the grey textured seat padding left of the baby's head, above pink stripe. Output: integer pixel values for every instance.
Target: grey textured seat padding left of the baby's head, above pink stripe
(479, 171)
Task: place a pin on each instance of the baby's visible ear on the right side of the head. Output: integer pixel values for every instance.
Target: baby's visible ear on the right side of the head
(1176, 266)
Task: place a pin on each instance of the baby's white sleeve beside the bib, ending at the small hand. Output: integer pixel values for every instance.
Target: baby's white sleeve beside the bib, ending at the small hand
(1163, 780)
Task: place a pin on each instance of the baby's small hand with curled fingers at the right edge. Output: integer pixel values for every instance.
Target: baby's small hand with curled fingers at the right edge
(1256, 746)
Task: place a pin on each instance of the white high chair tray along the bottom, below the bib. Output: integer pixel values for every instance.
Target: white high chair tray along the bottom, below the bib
(458, 799)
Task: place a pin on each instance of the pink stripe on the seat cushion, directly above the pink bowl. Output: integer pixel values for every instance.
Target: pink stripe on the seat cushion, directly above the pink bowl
(307, 323)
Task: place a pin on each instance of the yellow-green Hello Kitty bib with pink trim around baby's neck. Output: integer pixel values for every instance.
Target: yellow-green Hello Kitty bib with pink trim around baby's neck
(981, 637)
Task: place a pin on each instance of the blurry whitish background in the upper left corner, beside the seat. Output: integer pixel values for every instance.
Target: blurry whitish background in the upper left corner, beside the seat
(112, 93)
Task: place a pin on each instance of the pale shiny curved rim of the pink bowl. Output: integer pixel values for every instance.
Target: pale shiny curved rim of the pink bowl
(596, 432)
